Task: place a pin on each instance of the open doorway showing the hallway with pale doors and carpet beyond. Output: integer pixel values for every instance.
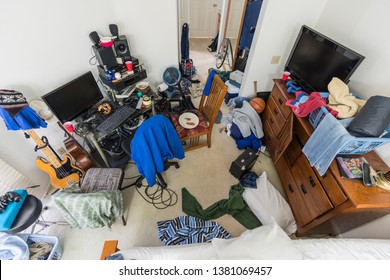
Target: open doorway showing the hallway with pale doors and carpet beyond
(207, 19)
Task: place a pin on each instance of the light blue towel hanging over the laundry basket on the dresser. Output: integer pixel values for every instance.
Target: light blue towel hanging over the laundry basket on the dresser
(325, 143)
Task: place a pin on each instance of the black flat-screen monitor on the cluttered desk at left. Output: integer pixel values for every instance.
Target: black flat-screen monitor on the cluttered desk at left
(75, 98)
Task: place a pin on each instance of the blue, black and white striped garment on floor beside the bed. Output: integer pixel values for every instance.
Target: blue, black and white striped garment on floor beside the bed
(189, 230)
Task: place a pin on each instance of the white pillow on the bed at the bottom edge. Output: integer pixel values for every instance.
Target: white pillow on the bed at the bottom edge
(267, 242)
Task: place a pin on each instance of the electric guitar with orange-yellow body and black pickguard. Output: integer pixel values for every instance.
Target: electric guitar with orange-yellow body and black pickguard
(62, 172)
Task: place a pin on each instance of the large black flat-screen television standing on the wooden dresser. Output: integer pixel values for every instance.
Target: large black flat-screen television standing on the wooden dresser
(315, 59)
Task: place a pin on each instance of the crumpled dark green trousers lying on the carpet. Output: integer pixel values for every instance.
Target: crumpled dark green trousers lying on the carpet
(234, 206)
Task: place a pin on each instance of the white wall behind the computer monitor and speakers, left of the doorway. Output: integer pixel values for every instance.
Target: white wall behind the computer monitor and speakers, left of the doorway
(46, 44)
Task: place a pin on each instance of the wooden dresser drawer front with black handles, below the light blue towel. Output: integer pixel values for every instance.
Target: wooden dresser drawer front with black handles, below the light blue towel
(310, 188)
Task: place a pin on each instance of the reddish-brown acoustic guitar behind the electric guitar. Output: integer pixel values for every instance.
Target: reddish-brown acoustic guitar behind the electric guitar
(79, 154)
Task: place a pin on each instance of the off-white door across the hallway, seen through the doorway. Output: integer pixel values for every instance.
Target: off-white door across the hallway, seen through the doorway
(203, 18)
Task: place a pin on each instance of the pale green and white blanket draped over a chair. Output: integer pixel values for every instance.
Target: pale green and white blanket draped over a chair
(89, 210)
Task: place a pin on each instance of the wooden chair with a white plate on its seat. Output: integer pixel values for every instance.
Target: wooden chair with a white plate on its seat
(207, 113)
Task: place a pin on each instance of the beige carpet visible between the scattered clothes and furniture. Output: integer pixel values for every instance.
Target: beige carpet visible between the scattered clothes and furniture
(204, 172)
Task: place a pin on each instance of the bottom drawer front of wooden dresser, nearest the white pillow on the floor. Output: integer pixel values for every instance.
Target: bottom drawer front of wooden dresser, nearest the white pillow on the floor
(297, 204)
